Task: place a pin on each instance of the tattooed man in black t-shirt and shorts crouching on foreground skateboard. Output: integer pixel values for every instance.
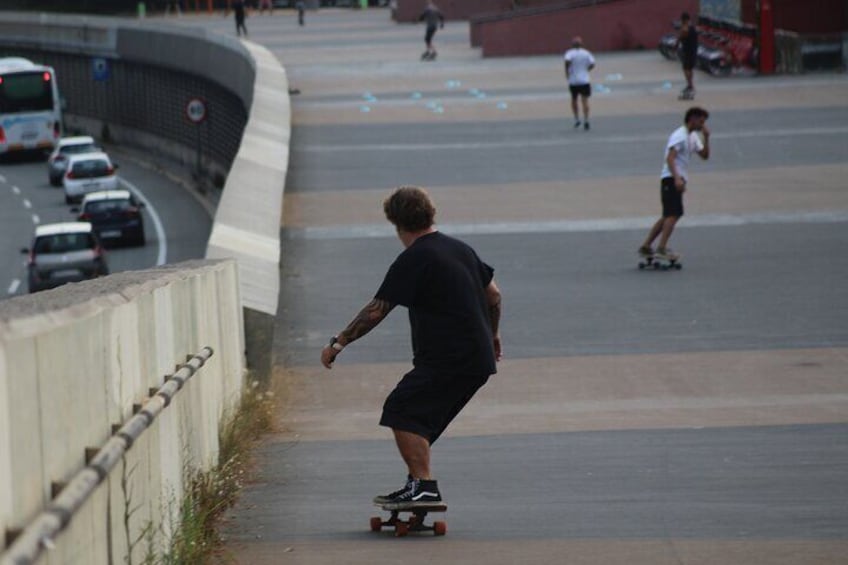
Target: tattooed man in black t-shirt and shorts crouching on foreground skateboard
(454, 313)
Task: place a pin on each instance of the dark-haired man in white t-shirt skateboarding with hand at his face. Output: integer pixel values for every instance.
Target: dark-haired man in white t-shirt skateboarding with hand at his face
(682, 143)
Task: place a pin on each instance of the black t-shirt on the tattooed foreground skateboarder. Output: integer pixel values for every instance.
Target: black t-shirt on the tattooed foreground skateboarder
(441, 280)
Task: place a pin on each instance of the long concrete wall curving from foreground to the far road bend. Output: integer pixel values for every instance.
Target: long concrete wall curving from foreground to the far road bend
(74, 360)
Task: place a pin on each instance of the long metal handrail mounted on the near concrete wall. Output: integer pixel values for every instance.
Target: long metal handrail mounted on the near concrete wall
(41, 532)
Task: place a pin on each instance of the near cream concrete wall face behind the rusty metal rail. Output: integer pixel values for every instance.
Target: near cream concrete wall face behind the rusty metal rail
(73, 363)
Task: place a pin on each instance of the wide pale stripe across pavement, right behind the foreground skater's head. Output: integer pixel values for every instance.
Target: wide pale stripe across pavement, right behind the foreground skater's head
(368, 231)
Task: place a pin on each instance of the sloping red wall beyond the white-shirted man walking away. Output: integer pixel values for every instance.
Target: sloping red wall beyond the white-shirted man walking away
(612, 26)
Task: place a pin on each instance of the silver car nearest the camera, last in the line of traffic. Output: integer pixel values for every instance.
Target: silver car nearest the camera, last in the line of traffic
(63, 253)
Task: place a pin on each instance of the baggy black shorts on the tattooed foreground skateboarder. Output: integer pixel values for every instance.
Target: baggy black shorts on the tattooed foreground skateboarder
(424, 402)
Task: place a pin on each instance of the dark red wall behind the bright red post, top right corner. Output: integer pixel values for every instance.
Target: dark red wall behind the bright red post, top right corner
(811, 16)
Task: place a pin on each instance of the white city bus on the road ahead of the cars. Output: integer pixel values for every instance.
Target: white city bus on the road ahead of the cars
(30, 109)
